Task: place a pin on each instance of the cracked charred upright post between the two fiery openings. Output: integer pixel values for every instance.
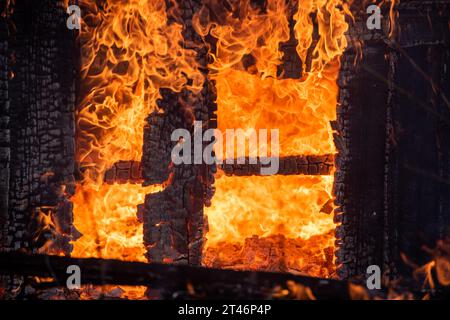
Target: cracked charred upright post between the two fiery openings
(173, 219)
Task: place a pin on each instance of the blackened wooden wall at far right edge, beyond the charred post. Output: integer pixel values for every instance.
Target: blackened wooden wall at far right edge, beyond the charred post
(419, 190)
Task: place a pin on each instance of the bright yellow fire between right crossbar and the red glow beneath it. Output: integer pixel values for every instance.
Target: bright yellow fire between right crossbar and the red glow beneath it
(256, 210)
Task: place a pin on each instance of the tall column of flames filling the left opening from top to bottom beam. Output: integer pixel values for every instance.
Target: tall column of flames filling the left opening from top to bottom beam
(129, 52)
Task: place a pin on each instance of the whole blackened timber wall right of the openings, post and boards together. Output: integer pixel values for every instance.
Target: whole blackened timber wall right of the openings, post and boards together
(393, 170)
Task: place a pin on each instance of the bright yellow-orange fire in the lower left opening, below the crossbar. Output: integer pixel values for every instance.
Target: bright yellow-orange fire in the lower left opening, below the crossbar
(110, 210)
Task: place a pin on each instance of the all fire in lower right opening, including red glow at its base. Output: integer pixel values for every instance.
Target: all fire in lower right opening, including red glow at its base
(263, 227)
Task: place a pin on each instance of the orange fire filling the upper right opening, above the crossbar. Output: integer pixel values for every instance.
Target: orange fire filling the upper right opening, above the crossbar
(302, 116)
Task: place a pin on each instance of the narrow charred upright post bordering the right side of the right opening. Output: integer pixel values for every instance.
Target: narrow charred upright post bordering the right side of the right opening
(359, 178)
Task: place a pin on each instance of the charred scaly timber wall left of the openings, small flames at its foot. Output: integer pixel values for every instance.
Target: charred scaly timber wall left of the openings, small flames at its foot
(42, 96)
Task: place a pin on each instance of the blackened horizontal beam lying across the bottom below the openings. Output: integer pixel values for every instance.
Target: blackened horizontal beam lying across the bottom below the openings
(170, 281)
